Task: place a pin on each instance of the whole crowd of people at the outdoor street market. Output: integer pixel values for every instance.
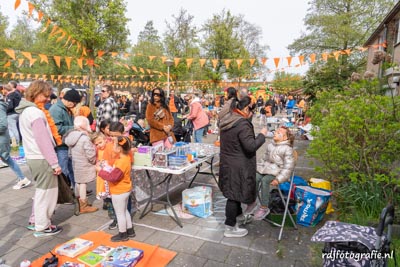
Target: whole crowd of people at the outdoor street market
(60, 135)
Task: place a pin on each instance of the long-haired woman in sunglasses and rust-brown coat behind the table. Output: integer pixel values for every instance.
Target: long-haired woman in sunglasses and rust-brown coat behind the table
(159, 119)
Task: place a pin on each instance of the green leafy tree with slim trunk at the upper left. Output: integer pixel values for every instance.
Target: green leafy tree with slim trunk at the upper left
(99, 25)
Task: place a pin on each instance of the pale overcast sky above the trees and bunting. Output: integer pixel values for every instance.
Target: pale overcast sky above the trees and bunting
(281, 21)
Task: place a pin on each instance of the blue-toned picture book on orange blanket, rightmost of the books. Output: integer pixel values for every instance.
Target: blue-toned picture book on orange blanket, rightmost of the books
(123, 256)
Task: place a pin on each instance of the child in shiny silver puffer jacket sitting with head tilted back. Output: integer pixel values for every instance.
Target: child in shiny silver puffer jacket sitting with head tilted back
(275, 167)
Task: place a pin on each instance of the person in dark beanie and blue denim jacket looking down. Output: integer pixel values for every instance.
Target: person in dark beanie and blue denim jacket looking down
(62, 113)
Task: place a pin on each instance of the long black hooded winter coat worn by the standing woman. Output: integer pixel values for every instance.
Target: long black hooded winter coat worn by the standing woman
(238, 165)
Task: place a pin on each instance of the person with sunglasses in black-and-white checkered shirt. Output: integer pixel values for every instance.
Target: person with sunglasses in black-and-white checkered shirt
(108, 108)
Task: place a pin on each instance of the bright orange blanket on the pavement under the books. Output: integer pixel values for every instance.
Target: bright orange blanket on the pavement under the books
(154, 256)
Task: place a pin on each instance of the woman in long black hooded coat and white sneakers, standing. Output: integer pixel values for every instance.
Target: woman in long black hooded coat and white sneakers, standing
(237, 179)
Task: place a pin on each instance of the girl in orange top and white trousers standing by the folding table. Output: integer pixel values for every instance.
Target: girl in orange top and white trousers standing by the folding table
(119, 178)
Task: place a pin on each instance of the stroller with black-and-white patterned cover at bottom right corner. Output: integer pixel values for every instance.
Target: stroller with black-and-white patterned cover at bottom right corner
(355, 245)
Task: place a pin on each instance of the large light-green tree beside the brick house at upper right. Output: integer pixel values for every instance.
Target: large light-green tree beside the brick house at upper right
(337, 26)
